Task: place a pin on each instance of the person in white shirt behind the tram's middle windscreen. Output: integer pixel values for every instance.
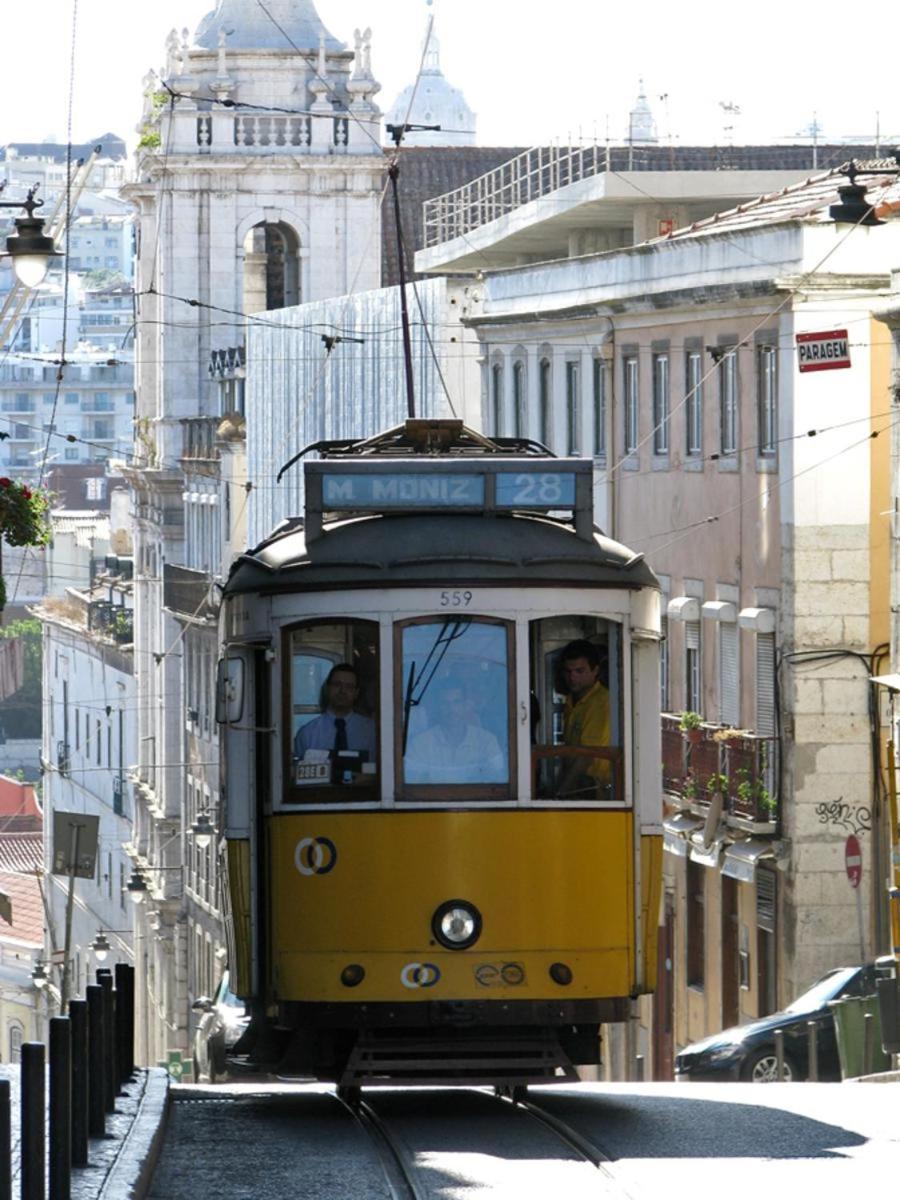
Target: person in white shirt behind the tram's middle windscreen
(454, 749)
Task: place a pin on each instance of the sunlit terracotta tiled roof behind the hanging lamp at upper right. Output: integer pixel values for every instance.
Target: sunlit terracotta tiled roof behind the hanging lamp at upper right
(807, 201)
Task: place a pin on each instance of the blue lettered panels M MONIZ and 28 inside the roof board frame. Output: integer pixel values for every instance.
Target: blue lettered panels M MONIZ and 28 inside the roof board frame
(436, 489)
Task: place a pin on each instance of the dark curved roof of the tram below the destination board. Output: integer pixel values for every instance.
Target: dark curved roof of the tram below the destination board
(431, 549)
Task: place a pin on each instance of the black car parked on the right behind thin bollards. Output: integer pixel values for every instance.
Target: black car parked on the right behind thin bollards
(748, 1052)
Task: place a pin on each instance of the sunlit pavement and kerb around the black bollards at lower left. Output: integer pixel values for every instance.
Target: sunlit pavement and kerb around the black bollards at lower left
(122, 1162)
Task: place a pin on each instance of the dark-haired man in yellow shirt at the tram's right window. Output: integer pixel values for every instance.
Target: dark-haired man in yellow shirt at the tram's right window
(586, 721)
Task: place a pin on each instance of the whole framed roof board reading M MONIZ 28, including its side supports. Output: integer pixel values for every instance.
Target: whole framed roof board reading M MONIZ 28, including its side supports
(421, 485)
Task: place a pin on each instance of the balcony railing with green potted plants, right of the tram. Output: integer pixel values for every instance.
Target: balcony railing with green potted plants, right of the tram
(715, 758)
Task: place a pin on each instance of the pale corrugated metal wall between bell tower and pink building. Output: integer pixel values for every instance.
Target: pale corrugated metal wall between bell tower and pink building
(298, 394)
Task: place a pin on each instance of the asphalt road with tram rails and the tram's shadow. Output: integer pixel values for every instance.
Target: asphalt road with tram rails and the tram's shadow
(826, 1142)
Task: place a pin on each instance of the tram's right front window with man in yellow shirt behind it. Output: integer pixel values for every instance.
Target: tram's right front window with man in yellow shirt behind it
(577, 710)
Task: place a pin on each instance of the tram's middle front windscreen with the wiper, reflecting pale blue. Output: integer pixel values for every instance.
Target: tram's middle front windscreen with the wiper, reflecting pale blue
(454, 711)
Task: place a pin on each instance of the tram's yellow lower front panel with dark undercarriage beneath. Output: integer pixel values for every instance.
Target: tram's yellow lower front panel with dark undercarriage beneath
(361, 987)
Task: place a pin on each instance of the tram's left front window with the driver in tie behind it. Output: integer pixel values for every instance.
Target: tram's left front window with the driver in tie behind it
(332, 699)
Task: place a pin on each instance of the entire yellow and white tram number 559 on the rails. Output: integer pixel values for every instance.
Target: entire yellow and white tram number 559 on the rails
(430, 879)
